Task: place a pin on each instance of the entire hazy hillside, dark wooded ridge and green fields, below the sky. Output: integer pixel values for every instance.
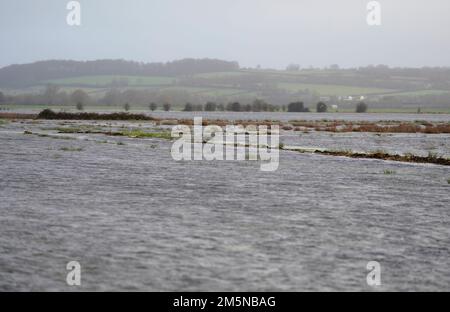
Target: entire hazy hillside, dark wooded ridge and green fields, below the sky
(198, 81)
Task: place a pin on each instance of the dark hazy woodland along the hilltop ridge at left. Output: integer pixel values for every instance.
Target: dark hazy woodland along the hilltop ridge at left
(30, 74)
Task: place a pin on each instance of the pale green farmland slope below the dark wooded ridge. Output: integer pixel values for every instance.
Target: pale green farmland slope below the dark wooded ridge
(275, 86)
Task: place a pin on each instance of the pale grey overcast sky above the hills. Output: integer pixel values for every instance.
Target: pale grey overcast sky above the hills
(272, 33)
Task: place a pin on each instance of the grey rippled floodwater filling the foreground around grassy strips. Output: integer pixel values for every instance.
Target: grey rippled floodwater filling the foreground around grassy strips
(135, 219)
